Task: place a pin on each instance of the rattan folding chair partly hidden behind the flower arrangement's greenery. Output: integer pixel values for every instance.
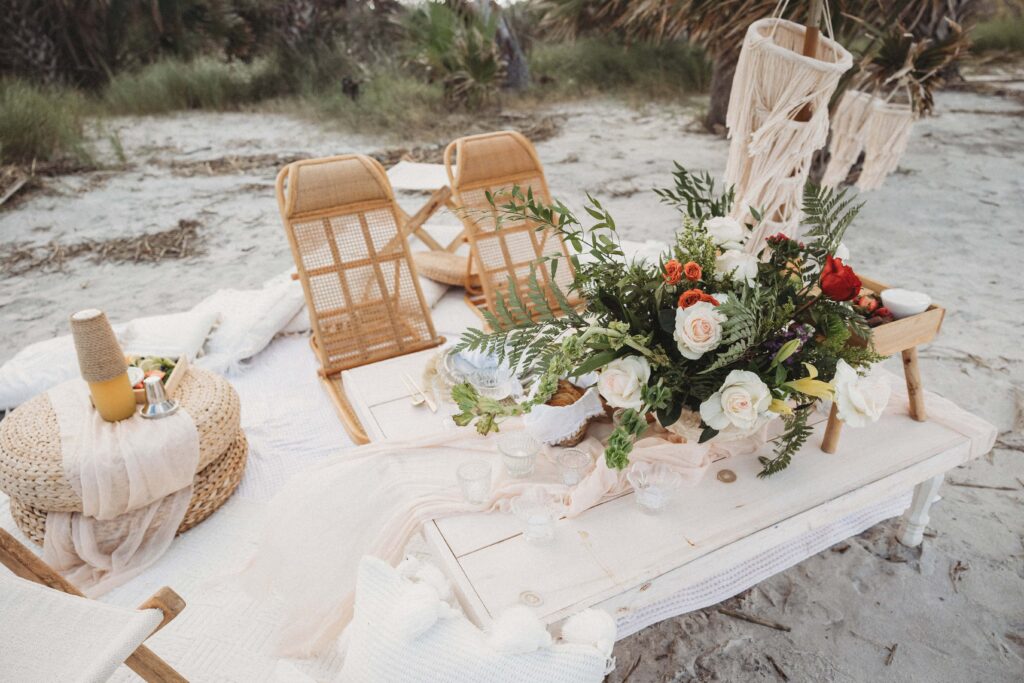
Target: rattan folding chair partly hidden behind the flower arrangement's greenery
(503, 252)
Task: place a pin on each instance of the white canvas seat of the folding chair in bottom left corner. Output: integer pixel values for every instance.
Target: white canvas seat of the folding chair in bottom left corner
(51, 636)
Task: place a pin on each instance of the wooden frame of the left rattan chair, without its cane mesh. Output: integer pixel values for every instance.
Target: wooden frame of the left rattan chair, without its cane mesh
(396, 335)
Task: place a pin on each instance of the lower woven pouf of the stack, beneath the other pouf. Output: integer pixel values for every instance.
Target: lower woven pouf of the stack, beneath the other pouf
(211, 489)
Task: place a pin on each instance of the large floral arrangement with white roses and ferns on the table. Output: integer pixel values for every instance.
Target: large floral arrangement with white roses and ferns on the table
(712, 343)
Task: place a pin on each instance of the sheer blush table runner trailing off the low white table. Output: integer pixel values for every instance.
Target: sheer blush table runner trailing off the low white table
(373, 500)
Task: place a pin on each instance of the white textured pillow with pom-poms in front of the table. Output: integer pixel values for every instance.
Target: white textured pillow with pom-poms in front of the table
(404, 632)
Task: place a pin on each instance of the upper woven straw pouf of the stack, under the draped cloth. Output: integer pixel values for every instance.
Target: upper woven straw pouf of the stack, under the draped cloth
(31, 468)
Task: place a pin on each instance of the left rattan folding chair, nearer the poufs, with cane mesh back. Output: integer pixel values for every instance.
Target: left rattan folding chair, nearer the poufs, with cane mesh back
(361, 285)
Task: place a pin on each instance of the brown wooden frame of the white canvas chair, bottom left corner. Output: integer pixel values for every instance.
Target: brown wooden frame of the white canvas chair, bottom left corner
(23, 563)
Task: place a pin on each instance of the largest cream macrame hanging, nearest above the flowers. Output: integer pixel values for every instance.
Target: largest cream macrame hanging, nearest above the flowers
(772, 150)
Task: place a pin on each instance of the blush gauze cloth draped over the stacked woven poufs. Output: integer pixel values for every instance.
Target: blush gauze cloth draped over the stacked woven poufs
(135, 479)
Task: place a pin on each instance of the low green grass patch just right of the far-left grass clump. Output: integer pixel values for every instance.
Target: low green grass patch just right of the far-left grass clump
(173, 86)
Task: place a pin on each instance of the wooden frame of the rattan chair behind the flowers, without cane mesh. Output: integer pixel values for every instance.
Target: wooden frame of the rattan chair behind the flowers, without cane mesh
(495, 281)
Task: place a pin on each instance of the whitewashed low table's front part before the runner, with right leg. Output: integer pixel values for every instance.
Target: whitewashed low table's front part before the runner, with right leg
(619, 560)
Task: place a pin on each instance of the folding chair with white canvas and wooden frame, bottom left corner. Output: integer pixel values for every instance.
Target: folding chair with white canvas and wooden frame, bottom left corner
(116, 632)
